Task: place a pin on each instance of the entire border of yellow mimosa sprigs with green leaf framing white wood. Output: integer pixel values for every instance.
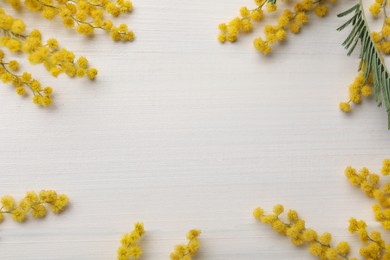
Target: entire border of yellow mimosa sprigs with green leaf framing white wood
(87, 16)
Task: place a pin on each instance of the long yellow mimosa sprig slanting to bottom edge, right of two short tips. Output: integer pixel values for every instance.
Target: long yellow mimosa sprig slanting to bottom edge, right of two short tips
(319, 244)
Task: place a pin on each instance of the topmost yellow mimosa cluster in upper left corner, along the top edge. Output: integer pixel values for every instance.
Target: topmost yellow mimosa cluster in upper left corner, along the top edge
(83, 15)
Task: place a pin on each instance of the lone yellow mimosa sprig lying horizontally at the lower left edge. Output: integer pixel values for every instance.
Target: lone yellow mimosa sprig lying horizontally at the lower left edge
(33, 203)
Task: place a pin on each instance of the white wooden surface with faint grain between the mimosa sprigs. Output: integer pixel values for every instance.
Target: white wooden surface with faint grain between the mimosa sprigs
(180, 132)
